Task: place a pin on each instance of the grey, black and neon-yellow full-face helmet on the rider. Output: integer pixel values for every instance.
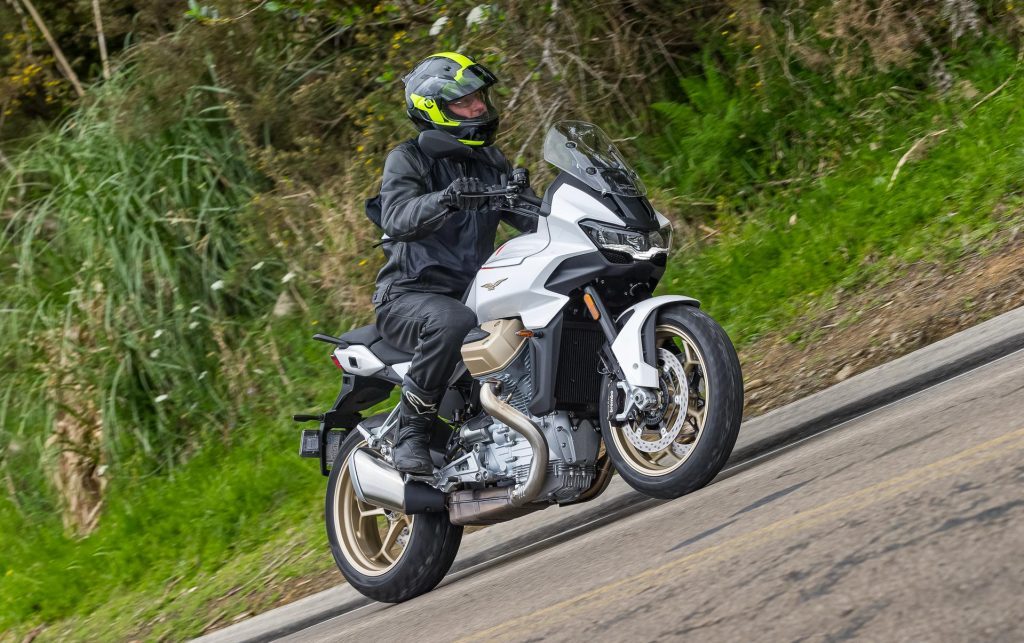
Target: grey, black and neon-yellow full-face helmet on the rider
(442, 78)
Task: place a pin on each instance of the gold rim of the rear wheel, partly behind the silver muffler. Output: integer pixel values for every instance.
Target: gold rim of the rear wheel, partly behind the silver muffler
(372, 539)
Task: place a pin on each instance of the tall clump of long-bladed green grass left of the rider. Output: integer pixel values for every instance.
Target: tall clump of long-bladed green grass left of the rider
(123, 264)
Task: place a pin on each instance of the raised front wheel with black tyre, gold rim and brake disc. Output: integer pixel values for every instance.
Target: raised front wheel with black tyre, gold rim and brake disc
(680, 444)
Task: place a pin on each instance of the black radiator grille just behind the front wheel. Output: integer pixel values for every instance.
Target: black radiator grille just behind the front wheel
(579, 381)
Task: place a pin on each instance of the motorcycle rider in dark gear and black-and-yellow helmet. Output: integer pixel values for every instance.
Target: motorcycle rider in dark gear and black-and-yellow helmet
(438, 238)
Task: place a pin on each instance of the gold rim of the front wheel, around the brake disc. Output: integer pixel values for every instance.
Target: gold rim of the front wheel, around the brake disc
(677, 453)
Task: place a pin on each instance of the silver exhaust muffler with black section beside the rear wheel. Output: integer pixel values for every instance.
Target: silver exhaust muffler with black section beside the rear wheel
(378, 484)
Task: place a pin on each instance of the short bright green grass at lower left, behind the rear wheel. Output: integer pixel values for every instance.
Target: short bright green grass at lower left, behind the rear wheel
(232, 499)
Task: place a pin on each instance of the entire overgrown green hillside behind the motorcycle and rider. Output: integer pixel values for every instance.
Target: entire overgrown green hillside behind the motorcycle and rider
(174, 240)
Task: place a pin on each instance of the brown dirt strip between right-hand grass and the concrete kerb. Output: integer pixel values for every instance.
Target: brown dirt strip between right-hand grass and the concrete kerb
(926, 304)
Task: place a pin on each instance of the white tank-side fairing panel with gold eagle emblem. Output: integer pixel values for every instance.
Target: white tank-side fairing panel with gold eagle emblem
(511, 284)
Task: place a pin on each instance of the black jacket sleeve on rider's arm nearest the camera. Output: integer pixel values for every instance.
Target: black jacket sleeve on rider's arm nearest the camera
(409, 211)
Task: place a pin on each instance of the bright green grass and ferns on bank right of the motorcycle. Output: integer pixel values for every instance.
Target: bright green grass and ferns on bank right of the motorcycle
(805, 207)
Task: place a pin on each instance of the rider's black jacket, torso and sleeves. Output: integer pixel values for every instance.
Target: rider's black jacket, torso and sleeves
(432, 247)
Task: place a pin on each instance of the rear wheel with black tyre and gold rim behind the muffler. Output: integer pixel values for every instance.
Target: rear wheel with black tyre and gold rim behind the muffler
(386, 555)
